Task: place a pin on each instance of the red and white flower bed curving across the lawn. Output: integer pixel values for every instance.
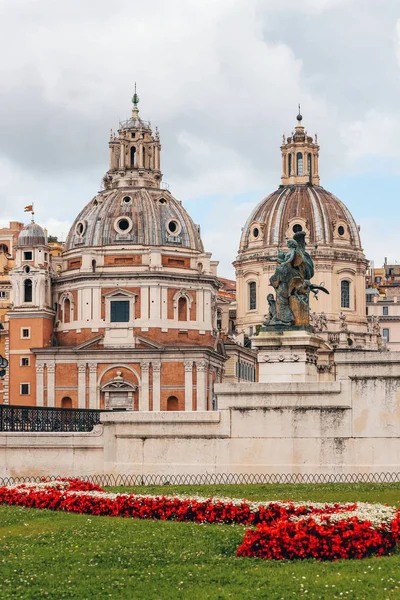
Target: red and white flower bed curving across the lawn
(281, 530)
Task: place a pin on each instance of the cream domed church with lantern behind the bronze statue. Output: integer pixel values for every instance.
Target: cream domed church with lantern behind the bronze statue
(333, 241)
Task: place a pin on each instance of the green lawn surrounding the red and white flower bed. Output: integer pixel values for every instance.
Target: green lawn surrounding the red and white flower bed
(57, 555)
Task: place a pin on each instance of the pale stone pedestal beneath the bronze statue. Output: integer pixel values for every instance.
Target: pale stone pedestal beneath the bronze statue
(286, 355)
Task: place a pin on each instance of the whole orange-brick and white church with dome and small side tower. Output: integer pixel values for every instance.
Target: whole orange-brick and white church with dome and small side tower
(126, 319)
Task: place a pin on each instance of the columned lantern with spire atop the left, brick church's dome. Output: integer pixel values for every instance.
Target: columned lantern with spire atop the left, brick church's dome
(134, 153)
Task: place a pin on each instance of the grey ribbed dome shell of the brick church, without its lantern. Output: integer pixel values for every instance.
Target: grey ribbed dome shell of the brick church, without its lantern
(145, 216)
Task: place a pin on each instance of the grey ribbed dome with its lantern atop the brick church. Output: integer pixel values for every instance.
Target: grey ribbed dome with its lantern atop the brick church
(134, 209)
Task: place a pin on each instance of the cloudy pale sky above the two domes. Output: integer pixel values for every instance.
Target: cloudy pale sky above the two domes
(222, 80)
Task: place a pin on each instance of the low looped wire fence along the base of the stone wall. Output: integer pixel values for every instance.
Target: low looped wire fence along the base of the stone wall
(109, 480)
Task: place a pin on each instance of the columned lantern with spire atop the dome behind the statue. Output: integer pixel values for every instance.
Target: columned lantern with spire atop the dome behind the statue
(300, 156)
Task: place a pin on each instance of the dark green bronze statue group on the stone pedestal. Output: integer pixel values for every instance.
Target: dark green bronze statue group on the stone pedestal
(292, 285)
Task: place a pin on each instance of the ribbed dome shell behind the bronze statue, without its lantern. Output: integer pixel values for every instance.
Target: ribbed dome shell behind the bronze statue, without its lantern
(324, 216)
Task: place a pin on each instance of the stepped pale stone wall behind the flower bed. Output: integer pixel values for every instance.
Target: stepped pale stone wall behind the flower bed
(348, 425)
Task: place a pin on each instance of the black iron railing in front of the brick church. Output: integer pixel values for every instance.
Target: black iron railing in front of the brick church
(42, 419)
